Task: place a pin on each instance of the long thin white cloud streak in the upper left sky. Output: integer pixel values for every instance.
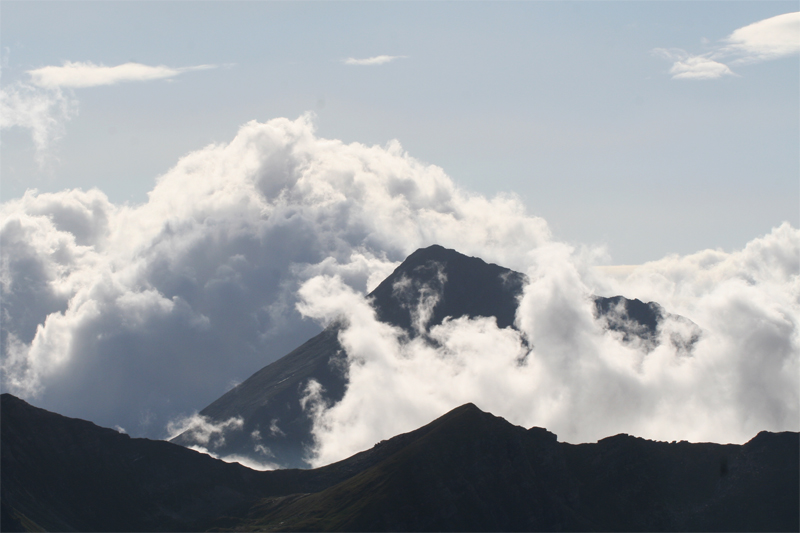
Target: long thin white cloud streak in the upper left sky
(86, 74)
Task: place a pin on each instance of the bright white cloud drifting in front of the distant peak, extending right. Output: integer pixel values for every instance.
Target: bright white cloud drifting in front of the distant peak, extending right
(573, 376)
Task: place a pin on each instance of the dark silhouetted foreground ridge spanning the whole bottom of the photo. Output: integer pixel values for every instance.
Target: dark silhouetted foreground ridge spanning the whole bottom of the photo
(466, 471)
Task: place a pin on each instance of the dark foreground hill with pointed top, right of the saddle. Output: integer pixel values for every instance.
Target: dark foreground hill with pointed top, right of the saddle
(471, 471)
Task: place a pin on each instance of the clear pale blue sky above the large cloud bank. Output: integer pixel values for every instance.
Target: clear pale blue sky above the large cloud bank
(565, 104)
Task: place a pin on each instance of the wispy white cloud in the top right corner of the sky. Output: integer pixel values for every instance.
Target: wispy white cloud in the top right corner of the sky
(765, 40)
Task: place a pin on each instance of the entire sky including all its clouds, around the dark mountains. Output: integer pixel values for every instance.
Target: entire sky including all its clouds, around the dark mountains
(192, 189)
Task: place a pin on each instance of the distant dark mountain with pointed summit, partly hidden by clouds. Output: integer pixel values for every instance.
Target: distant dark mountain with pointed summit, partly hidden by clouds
(445, 284)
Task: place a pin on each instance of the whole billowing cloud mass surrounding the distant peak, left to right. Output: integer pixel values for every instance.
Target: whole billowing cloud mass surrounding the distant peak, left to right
(134, 315)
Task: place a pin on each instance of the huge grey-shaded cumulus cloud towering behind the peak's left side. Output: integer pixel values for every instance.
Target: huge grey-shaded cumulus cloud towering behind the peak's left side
(155, 308)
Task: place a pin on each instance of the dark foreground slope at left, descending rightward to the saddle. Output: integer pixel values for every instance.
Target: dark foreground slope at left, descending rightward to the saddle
(63, 474)
